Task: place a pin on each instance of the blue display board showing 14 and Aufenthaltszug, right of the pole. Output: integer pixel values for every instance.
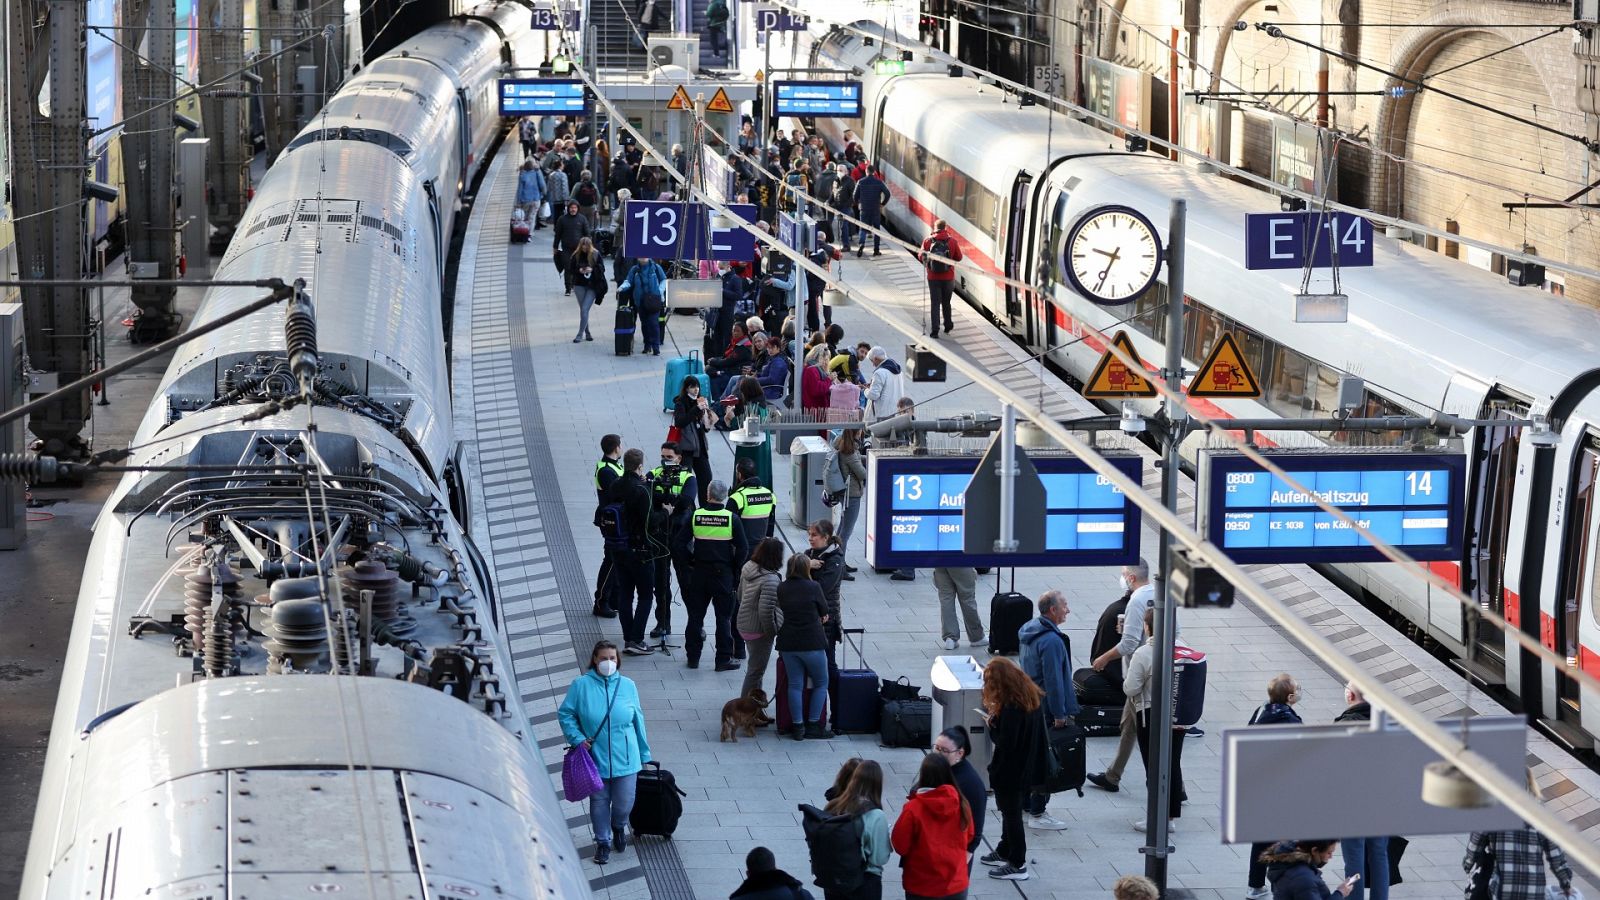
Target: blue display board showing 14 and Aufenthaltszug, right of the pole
(1410, 500)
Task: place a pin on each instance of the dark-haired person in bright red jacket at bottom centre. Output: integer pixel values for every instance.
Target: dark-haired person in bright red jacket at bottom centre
(932, 835)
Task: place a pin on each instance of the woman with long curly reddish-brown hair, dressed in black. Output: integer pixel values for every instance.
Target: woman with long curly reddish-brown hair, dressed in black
(1017, 725)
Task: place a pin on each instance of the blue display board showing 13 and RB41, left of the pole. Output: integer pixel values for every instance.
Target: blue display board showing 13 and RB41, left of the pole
(916, 504)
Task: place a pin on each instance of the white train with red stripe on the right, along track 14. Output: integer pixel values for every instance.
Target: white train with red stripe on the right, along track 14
(1425, 332)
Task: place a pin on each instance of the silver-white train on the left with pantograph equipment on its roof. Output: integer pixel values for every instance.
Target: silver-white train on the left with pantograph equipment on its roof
(287, 673)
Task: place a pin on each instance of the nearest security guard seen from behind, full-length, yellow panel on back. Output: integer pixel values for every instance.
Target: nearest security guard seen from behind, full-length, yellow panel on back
(718, 548)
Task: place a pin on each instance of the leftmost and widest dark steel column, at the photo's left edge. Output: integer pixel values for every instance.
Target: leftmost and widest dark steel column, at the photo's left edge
(50, 163)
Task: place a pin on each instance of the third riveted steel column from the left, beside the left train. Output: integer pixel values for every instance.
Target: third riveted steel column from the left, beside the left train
(223, 106)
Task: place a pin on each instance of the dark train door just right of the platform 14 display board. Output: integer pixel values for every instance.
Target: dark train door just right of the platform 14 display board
(1489, 523)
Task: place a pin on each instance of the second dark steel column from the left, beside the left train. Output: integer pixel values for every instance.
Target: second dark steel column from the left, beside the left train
(148, 164)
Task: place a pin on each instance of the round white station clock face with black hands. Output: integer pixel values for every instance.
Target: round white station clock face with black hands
(1113, 255)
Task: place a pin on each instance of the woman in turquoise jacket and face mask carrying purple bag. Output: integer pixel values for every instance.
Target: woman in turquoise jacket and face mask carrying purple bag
(602, 712)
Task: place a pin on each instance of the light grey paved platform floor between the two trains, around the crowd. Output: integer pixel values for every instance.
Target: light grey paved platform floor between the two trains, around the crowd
(530, 411)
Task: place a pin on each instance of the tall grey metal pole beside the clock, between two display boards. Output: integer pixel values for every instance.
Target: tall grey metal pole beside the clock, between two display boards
(1166, 625)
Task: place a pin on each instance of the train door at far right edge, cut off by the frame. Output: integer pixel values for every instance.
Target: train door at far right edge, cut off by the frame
(1577, 590)
